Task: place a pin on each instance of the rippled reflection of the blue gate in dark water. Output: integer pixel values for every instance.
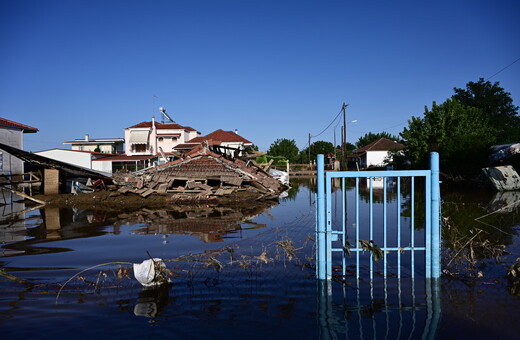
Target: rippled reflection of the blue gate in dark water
(392, 309)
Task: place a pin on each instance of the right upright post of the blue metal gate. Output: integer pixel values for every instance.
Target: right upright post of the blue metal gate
(435, 216)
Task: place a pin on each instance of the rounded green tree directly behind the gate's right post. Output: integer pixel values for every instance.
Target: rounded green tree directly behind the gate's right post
(455, 131)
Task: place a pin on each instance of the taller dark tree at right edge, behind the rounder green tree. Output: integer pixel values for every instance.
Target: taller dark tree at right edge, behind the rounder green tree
(497, 108)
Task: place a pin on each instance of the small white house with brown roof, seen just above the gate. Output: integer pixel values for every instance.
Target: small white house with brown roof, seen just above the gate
(375, 154)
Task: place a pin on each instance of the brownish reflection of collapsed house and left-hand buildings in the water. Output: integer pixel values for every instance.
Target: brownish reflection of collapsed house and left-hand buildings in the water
(22, 236)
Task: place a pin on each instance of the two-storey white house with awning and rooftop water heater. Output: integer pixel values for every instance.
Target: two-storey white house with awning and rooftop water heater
(154, 138)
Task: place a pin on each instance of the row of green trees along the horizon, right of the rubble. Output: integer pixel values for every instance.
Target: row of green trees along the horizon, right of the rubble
(462, 129)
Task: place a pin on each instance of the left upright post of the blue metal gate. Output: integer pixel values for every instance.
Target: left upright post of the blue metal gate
(321, 232)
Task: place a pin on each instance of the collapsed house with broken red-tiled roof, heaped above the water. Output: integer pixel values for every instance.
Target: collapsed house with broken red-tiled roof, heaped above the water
(201, 175)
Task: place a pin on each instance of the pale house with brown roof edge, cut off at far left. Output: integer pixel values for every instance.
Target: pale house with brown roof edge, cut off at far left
(11, 133)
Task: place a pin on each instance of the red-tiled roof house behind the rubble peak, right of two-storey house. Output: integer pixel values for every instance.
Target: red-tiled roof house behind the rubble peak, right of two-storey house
(227, 139)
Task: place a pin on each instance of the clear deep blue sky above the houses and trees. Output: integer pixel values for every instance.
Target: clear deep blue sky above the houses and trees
(271, 69)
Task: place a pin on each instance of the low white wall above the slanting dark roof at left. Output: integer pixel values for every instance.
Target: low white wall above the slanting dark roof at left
(83, 159)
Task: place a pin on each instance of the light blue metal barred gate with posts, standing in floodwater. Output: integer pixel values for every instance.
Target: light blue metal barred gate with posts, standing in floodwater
(335, 239)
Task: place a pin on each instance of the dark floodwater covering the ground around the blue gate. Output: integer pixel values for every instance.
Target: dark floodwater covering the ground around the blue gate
(248, 272)
